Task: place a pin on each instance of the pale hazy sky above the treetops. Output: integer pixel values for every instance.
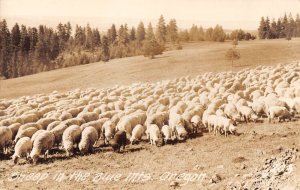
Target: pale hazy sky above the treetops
(231, 14)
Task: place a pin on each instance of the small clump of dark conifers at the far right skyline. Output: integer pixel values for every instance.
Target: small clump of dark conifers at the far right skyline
(285, 27)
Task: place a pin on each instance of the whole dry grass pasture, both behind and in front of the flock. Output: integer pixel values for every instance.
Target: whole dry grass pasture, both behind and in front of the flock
(236, 159)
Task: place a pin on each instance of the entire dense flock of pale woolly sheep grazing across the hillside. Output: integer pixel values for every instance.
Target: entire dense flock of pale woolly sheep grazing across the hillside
(164, 111)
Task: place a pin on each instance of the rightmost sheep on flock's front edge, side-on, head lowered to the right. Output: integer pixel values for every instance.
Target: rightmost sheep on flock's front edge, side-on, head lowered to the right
(279, 111)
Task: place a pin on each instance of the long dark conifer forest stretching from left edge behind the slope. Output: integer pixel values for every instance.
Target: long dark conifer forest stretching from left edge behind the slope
(27, 50)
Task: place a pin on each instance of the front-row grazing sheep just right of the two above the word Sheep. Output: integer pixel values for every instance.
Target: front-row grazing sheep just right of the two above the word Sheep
(70, 137)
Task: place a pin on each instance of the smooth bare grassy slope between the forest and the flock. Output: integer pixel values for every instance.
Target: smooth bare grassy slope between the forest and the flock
(194, 59)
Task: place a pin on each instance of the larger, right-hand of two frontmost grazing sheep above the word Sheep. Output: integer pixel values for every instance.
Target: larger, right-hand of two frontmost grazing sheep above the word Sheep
(42, 144)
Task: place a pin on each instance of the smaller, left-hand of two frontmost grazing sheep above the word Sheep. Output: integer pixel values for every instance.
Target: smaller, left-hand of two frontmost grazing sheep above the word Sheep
(22, 149)
